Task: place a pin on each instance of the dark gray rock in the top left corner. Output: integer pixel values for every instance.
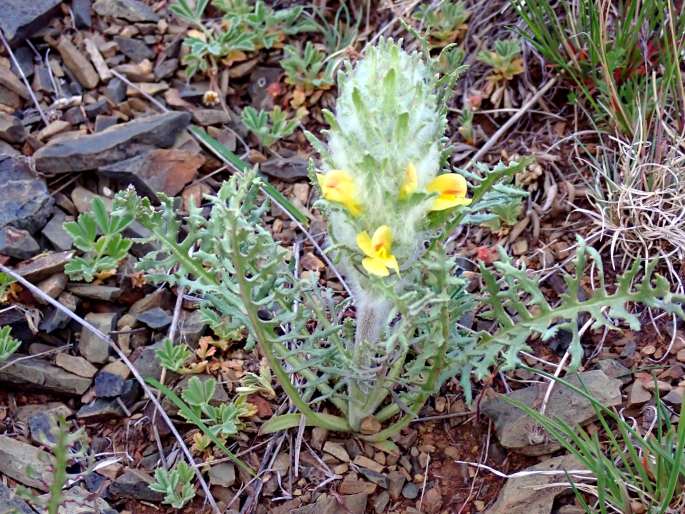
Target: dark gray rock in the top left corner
(21, 19)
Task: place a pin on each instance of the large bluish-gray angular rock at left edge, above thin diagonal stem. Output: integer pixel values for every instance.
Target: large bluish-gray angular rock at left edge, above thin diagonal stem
(25, 202)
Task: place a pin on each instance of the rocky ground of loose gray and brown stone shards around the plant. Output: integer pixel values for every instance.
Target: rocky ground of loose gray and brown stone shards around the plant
(93, 98)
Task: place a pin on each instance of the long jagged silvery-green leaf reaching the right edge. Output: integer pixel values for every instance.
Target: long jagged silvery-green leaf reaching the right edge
(519, 309)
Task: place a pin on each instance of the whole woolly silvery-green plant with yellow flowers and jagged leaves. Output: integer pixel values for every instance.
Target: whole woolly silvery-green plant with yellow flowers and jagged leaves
(391, 202)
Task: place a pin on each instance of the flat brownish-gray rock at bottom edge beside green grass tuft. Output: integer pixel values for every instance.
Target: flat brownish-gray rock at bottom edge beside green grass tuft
(533, 494)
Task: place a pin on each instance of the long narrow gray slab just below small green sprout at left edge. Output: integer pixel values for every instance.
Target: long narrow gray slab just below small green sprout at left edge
(42, 375)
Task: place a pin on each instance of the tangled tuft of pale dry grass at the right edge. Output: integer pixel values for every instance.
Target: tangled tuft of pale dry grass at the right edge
(638, 199)
